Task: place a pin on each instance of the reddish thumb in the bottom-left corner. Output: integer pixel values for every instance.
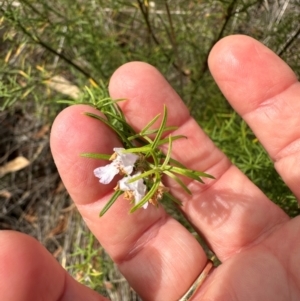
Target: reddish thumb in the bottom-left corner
(29, 272)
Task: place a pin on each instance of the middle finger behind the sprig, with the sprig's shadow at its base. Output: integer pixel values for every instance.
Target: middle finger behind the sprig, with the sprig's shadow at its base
(230, 211)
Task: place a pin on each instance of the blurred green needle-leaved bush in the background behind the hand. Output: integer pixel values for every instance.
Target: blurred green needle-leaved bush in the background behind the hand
(48, 47)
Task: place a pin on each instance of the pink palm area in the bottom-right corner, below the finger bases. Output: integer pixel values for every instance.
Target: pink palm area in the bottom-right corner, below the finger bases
(266, 271)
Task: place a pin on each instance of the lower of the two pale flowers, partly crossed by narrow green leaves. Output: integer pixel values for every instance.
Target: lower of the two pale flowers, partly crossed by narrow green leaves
(137, 189)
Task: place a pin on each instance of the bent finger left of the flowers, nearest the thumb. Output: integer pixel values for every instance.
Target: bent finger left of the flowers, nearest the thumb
(152, 250)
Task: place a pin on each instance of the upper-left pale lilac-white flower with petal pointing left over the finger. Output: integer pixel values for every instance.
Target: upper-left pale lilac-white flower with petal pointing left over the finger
(122, 163)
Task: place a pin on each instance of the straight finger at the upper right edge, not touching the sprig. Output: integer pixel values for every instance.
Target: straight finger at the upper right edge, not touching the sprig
(266, 94)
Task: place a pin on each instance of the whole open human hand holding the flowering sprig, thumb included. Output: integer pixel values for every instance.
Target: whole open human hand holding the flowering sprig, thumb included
(258, 244)
